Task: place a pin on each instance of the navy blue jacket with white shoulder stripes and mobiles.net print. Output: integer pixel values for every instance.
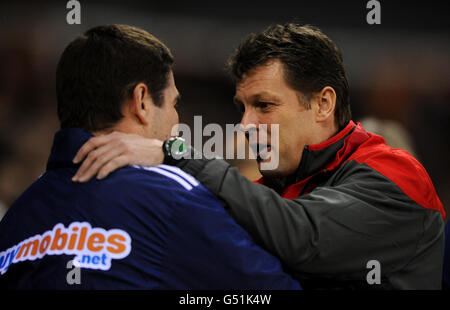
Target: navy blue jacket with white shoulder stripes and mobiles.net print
(140, 228)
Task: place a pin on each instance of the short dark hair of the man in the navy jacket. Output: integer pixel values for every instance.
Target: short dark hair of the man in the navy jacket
(100, 69)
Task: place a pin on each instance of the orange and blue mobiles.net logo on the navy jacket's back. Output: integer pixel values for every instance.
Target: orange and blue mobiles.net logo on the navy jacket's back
(93, 248)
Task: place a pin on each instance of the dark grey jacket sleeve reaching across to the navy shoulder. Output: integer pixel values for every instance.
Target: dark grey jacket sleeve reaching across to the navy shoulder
(334, 229)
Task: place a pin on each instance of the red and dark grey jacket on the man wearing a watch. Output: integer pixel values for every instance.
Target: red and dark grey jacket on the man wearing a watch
(353, 199)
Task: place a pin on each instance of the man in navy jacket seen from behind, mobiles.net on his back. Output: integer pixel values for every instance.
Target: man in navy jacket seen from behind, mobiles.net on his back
(149, 228)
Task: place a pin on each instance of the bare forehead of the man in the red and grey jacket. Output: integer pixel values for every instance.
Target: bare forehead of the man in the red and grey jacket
(265, 79)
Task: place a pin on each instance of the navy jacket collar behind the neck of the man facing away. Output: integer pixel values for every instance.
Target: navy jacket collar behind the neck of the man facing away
(66, 144)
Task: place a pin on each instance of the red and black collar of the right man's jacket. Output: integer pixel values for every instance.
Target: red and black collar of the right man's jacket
(325, 156)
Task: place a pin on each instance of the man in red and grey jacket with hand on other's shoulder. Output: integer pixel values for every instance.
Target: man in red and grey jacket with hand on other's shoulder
(341, 209)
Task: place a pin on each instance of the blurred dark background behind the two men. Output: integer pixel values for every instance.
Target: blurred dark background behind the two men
(399, 71)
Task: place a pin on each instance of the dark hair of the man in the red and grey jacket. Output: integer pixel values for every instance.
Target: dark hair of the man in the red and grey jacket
(311, 61)
